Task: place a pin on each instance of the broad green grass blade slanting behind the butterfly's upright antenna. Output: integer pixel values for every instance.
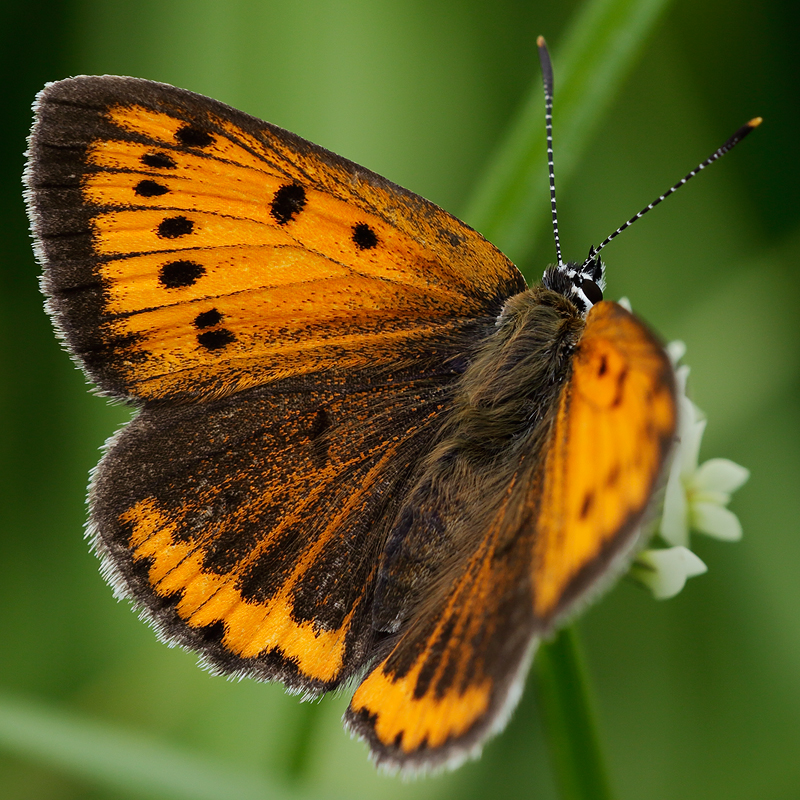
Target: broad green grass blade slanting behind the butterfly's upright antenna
(591, 63)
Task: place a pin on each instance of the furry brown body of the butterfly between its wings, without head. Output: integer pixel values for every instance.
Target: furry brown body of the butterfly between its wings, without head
(504, 406)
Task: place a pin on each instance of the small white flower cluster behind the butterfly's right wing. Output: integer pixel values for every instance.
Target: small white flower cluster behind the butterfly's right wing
(695, 499)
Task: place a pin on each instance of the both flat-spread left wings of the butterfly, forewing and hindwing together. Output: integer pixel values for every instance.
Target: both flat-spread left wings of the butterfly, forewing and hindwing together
(289, 323)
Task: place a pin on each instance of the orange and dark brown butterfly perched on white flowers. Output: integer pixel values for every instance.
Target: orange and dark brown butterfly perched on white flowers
(364, 450)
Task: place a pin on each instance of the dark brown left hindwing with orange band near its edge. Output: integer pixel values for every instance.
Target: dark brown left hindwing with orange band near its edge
(249, 529)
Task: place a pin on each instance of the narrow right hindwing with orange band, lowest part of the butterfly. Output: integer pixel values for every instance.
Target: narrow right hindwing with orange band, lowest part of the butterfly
(454, 674)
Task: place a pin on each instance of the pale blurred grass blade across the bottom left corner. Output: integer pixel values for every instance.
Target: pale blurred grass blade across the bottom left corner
(123, 762)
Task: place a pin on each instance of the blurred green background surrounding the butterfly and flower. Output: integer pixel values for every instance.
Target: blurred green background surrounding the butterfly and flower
(698, 697)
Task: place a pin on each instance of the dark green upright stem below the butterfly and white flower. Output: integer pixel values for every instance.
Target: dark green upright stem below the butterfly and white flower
(569, 720)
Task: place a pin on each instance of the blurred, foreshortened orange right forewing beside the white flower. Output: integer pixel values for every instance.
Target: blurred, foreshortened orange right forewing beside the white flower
(614, 426)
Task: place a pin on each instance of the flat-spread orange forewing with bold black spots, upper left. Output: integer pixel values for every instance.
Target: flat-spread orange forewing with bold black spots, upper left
(191, 250)
